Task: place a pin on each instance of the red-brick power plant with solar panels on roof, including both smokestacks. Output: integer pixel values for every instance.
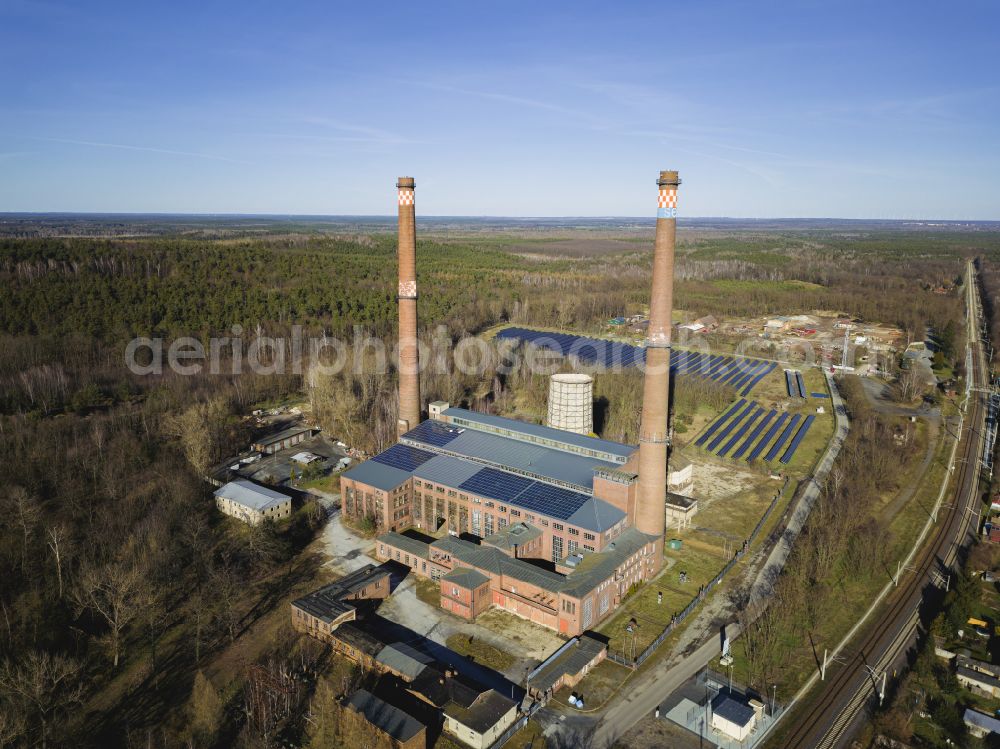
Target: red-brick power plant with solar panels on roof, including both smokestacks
(594, 508)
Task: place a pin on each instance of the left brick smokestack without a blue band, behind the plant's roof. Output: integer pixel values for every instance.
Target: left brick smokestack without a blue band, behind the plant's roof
(409, 370)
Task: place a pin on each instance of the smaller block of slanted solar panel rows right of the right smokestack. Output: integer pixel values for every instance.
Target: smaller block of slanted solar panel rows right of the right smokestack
(741, 427)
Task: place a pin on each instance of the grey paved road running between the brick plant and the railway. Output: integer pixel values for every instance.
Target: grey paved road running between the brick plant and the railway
(644, 692)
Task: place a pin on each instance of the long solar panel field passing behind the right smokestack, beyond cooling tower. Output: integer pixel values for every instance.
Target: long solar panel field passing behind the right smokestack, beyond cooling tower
(739, 373)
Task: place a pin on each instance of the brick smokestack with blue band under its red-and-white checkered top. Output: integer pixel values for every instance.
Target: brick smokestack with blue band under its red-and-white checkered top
(653, 437)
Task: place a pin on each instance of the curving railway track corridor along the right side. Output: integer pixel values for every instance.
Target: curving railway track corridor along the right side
(856, 683)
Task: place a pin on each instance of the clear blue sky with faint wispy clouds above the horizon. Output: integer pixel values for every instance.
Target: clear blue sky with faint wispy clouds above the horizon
(847, 109)
